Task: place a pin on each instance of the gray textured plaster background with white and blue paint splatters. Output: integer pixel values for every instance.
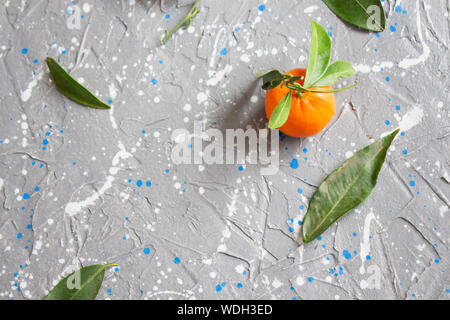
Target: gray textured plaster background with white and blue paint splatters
(216, 231)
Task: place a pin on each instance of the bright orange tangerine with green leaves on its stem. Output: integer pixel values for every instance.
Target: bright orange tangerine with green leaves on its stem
(309, 114)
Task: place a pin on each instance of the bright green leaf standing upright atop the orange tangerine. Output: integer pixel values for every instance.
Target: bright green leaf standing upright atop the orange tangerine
(319, 54)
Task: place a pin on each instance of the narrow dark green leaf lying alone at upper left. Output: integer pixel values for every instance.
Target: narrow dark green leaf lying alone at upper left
(71, 88)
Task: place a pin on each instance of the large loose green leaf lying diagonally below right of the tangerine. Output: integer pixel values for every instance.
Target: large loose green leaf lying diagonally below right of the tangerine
(346, 188)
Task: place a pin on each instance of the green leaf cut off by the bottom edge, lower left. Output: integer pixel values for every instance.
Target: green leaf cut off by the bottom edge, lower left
(84, 284)
